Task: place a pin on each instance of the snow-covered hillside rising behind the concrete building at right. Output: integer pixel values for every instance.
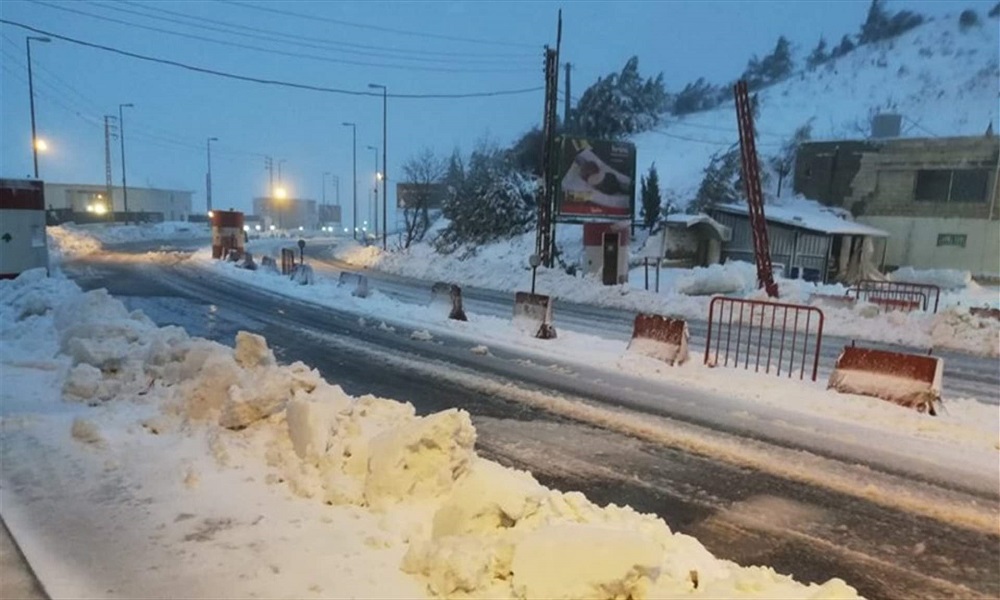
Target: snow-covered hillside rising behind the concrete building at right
(943, 81)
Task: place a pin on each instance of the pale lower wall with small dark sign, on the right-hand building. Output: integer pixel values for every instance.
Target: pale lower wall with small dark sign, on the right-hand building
(914, 241)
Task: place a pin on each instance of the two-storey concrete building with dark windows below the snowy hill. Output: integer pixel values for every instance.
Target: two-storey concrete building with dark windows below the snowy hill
(937, 197)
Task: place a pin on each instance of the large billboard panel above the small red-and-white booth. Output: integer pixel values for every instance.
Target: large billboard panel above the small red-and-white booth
(596, 178)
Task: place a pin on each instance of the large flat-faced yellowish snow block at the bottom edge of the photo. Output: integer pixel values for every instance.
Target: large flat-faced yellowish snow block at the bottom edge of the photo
(584, 561)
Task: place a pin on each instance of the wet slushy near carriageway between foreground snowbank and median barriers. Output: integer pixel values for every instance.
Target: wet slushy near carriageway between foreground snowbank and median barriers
(739, 512)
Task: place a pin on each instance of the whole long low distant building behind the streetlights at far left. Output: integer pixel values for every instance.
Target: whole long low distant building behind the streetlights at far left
(83, 202)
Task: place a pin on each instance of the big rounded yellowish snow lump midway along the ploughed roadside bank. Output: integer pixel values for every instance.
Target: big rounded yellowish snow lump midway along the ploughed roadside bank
(421, 459)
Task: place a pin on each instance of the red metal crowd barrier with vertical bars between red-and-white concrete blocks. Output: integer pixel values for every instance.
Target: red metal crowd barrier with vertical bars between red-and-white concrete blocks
(769, 334)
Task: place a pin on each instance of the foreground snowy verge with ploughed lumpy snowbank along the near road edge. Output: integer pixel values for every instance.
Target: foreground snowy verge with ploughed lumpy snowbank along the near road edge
(139, 461)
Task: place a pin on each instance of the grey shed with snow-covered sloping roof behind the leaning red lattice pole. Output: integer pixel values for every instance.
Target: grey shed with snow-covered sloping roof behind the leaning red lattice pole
(807, 241)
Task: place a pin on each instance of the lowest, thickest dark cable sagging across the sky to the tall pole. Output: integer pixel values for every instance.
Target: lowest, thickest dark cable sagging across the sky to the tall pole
(275, 82)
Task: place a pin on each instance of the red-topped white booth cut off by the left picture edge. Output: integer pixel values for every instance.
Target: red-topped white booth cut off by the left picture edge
(22, 227)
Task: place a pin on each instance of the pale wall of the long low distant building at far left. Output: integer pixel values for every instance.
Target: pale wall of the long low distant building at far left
(174, 205)
